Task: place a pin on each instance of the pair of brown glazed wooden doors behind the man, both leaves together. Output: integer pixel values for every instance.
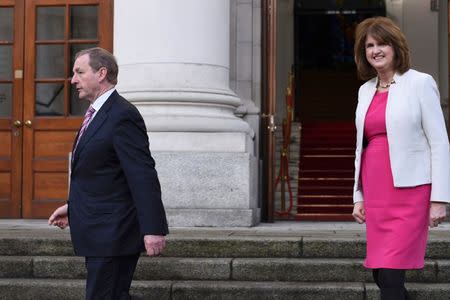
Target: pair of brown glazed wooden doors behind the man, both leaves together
(39, 111)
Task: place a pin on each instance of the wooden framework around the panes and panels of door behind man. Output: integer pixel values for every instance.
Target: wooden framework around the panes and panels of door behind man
(65, 123)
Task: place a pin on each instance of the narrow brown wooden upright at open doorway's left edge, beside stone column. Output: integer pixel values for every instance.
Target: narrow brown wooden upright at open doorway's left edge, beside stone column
(269, 13)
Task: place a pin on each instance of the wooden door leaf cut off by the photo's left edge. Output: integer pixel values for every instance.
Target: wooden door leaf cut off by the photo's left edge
(11, 83)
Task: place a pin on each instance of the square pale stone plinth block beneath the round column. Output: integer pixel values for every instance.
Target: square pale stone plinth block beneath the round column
(209, 188)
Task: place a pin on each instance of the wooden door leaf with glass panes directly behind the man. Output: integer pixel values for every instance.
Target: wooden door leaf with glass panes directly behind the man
(54, 31)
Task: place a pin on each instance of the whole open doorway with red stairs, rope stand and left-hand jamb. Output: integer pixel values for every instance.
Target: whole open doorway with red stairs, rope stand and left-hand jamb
(314, 39)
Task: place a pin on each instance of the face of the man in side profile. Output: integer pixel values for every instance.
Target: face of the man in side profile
(86, 80)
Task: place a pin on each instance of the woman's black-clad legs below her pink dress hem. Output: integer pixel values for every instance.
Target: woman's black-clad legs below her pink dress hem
(391, 283)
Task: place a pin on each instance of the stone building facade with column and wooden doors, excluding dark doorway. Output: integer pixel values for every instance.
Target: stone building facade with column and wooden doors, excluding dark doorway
(203, 73)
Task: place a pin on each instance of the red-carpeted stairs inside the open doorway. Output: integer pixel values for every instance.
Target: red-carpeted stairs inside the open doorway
(327, 157)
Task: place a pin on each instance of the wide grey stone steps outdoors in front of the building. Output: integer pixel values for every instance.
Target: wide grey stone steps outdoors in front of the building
(280, 261)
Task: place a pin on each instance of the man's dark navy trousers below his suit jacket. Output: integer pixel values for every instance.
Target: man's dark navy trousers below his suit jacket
(109, 278)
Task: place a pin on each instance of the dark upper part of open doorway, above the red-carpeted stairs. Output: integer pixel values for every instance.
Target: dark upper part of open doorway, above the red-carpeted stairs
(326, 73)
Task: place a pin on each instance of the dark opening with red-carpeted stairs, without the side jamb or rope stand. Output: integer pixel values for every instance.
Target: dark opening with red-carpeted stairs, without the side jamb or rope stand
(325, 101)
